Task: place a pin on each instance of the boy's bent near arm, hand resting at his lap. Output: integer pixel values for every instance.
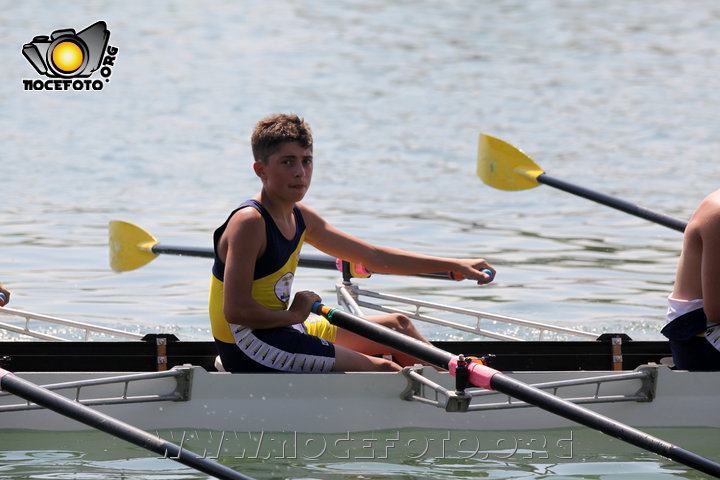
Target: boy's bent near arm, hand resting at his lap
(241, 244)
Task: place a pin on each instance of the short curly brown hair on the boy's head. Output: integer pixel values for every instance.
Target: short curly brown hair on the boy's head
(272, 132)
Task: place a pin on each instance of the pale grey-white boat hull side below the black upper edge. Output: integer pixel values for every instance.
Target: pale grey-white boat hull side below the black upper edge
(351, 402)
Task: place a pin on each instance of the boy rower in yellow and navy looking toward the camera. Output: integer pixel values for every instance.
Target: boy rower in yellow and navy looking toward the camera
(256, 327)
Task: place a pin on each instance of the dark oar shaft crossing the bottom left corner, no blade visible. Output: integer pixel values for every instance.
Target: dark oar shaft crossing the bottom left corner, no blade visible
(64, 406)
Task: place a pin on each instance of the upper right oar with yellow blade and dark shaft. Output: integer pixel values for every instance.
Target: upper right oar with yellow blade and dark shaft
(505, 167)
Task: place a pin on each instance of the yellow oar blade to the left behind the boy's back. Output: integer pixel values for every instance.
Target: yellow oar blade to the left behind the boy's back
(130, 246)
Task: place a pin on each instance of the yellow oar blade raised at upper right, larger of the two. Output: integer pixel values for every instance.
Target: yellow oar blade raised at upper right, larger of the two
(502, 166)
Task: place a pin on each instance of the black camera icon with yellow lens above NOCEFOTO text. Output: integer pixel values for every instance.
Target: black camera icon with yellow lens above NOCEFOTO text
(68, 54)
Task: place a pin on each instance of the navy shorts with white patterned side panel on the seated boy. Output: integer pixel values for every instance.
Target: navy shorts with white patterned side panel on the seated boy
(284, 349)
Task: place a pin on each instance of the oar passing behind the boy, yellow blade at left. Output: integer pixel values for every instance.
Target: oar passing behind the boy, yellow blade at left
(132, 247)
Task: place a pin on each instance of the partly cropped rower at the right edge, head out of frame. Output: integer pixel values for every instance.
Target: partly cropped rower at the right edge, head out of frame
(694, 305)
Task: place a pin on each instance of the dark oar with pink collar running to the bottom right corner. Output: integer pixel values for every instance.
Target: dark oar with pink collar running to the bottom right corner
(486, 377)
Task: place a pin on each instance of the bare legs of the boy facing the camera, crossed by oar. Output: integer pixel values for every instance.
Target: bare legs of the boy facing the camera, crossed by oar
(397, 322)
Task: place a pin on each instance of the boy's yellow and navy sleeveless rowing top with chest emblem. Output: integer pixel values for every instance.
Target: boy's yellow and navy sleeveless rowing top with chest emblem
(274, 270)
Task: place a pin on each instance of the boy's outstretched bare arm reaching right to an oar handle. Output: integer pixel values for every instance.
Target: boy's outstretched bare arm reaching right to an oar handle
(382, 259)
